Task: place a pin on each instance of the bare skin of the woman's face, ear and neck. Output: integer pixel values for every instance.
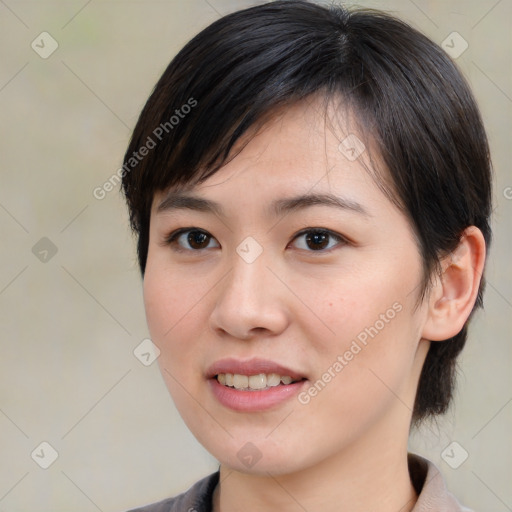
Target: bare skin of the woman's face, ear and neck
(302, 308)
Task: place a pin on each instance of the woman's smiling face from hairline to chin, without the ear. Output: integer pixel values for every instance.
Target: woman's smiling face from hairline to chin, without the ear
(303, 271)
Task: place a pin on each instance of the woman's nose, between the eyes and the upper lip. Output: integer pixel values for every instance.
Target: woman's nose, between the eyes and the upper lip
(251, 300)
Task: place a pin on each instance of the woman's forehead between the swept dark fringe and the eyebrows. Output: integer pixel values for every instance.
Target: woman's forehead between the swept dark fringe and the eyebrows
(311, 151)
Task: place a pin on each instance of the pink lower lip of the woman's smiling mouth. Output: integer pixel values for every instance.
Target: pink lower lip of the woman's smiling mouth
(253, 401)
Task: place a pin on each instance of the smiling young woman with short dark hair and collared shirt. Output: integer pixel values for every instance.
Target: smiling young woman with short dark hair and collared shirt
(311, 192)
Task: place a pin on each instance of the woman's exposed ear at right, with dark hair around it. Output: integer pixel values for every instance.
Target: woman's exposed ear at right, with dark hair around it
(455, 291)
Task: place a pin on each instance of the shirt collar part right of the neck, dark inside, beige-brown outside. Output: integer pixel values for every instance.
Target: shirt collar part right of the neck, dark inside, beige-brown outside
(431, 488)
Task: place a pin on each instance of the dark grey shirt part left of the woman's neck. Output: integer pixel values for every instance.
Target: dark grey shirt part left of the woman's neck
(197, 499)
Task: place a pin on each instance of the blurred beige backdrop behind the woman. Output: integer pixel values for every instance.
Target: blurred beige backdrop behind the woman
(71, 310)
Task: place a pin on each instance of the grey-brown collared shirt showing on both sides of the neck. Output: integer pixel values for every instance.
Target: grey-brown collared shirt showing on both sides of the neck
(433, 496)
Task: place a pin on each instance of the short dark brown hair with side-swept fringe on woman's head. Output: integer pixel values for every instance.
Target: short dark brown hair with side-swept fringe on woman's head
(407, 93)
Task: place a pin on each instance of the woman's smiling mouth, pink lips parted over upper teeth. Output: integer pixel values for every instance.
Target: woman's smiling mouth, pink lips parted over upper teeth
(253, 385)
